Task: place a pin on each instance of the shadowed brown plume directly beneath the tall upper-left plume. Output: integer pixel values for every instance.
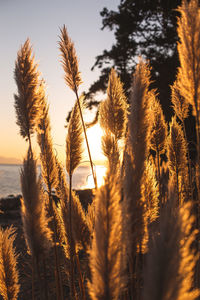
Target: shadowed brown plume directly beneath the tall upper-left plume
(35, 223)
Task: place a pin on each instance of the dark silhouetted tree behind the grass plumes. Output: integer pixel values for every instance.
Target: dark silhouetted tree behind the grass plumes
(141, 27)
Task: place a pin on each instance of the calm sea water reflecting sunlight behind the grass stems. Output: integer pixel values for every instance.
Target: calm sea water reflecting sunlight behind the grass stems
(10, 178)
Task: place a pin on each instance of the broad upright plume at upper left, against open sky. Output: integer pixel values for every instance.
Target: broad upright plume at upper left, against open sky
(26, 101)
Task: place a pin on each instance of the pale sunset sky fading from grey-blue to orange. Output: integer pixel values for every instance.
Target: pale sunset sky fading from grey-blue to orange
(40, 20)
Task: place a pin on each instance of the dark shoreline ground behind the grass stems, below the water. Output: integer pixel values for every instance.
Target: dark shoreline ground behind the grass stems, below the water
(10, 215)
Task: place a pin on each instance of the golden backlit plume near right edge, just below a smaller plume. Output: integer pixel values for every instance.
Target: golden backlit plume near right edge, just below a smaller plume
(177, 158)
